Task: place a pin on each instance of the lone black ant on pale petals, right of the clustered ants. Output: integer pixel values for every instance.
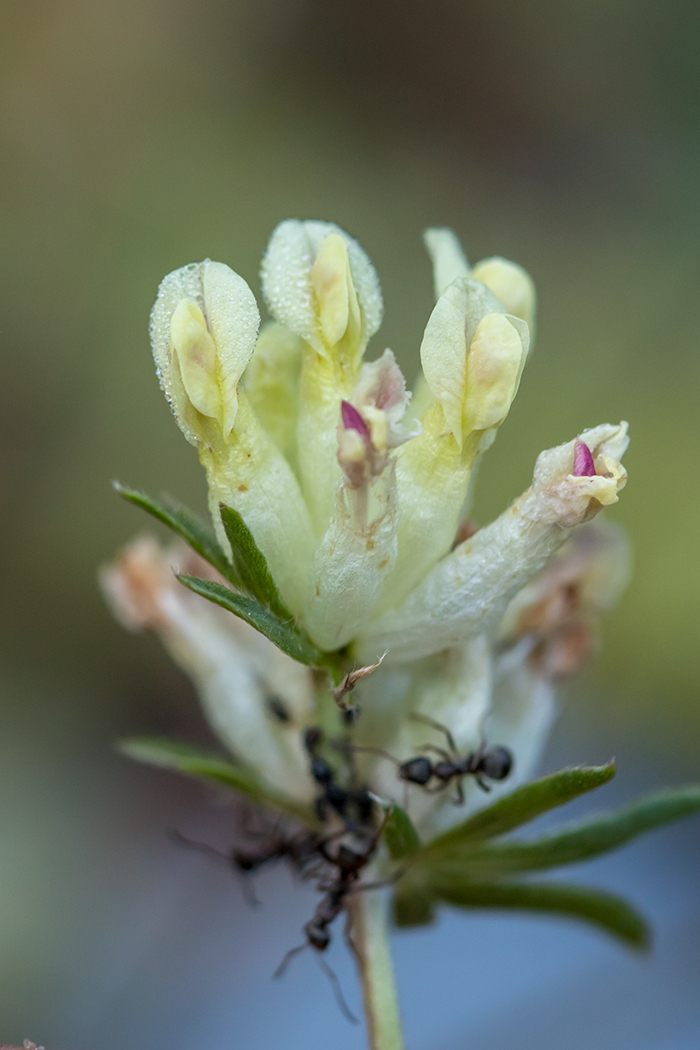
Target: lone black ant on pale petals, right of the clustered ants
(483, 765)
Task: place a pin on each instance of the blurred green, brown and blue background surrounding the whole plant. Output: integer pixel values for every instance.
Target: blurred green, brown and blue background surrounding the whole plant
(140, 136)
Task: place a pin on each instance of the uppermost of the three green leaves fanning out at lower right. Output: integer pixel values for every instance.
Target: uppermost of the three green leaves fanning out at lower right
(521, 807)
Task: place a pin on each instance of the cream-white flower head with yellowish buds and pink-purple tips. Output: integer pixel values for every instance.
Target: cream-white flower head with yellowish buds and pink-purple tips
(338, 503)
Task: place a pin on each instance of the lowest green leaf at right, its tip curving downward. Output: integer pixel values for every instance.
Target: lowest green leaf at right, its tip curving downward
(608, 913)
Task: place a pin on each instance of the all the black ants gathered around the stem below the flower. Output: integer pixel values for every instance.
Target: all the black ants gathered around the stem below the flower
(336, 856)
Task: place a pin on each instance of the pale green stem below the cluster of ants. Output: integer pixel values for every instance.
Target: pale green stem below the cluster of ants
(371, 937)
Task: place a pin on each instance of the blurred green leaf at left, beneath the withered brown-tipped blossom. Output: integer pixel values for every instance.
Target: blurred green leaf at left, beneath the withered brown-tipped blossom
(183, 758)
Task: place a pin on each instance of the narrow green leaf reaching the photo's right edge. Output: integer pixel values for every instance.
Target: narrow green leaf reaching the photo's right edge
(580, 842)
